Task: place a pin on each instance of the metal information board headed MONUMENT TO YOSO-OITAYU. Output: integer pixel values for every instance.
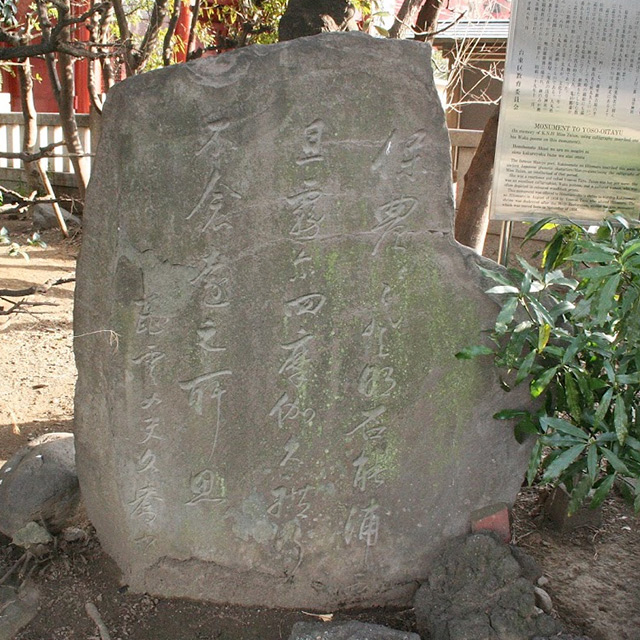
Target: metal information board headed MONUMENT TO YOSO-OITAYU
(569, 134)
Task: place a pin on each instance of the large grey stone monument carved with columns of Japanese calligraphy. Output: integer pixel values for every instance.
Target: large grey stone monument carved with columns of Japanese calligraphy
(269, 301)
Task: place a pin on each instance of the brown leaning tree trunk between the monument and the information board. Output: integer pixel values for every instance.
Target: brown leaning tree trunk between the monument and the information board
(472, 218)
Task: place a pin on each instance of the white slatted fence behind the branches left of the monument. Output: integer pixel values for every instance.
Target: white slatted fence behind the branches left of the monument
(49, 131)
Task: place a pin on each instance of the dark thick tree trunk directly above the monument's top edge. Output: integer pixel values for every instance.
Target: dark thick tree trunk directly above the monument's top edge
(304, 17)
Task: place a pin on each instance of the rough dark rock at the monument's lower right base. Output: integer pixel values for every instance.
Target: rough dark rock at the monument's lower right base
(477, 590)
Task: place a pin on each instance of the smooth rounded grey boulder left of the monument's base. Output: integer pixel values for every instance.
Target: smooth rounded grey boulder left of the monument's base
(39, 484)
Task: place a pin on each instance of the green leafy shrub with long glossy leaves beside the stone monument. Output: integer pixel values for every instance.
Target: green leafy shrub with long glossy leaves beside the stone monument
(571, 331)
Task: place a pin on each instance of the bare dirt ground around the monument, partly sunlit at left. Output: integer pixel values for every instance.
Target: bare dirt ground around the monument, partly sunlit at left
(593, 574)
